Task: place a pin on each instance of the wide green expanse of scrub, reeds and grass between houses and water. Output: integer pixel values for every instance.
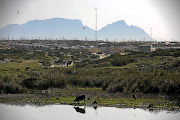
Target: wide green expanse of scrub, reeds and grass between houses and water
(154, 73)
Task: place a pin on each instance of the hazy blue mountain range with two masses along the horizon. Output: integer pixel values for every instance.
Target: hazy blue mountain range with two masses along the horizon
(61, 28)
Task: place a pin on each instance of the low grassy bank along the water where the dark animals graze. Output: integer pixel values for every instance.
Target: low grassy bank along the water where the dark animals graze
(102, 98)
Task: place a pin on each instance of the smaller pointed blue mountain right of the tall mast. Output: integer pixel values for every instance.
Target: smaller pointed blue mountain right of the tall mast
(121, 30)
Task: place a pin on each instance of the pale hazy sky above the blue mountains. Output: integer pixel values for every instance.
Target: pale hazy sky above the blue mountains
(160, 15)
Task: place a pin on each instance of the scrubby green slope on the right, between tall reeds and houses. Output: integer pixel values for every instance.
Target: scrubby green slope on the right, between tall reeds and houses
(160, 59)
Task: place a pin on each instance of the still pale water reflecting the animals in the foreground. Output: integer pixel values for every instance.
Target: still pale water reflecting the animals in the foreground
(68, 112)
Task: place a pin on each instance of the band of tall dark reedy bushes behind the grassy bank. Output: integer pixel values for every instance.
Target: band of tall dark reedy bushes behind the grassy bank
(112, 80)
